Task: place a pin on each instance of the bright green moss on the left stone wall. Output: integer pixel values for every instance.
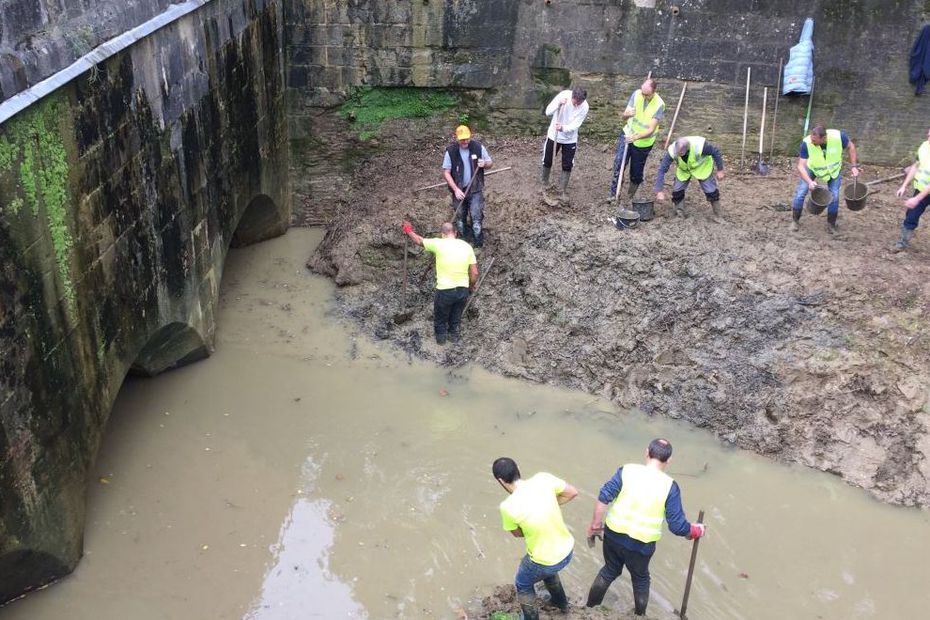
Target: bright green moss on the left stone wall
(33, 140)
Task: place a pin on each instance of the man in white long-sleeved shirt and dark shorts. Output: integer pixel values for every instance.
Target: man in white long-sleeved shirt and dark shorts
(568, 110)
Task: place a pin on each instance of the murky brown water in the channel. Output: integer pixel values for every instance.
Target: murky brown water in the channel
(302, 472)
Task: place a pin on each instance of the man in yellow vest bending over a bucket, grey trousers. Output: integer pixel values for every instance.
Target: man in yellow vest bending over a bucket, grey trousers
(694, 157)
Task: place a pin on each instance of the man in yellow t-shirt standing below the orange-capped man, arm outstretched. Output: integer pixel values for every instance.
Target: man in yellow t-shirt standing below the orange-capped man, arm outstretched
(456, 274)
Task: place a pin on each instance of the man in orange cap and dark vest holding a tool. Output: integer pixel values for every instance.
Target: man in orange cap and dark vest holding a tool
(463, 167)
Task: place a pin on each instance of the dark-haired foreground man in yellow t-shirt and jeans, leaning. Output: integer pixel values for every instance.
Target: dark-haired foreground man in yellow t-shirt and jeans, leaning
(532, 512)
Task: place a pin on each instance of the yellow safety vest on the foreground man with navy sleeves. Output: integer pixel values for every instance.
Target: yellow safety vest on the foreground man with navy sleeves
(639, 510)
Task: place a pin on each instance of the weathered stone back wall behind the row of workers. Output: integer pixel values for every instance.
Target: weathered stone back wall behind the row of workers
(521, 51)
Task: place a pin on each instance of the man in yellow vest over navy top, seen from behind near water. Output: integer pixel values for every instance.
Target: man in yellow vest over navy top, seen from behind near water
(636, 501)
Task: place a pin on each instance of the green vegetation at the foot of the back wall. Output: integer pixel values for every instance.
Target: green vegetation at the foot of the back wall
(369, 107)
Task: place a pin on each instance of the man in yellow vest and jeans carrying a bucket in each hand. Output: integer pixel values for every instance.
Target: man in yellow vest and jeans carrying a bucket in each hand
(821, 159)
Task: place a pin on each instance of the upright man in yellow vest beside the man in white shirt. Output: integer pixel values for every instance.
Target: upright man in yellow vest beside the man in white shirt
(644, 110)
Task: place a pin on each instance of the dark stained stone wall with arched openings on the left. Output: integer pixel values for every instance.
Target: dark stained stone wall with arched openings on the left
(120, 195)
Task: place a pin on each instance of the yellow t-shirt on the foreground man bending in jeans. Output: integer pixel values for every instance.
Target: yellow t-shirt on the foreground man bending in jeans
(533, 508)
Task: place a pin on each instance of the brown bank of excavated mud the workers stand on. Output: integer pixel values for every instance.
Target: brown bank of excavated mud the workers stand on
(802, 346)
